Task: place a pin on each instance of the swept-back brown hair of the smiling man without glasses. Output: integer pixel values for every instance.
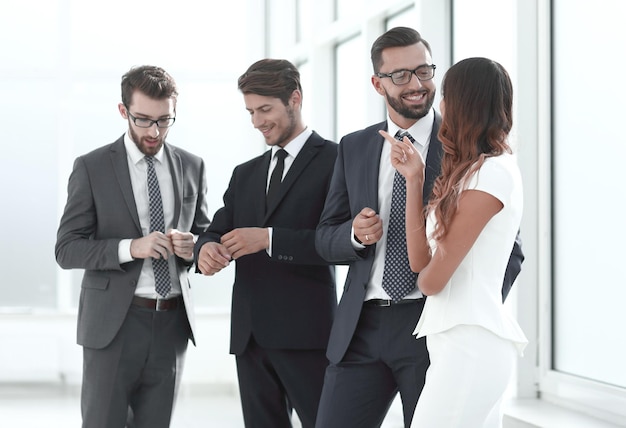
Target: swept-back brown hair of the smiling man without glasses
(276, 78)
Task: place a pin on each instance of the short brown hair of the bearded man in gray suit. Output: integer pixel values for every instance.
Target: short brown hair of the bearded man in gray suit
(153, 81)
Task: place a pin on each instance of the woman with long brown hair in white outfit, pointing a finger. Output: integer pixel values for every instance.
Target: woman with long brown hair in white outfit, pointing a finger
(460, 245)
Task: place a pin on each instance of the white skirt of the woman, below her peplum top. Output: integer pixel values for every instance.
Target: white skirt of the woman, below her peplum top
(470, 369)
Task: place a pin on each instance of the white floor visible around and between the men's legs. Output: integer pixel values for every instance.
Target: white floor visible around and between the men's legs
(54, 407)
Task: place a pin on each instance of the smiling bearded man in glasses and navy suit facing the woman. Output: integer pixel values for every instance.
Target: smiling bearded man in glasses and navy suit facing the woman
(373, 354)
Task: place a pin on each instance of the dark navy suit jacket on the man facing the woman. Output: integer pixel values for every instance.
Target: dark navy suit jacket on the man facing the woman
(353, 187)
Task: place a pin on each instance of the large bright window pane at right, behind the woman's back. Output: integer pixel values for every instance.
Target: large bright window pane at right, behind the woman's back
(588, 150)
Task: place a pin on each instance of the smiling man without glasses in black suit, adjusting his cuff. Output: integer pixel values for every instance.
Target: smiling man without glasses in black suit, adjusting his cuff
(284, 294)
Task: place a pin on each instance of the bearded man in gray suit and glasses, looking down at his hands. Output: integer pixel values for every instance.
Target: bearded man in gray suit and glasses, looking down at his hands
(133, 210)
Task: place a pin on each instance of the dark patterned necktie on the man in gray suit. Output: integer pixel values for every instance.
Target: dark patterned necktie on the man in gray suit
(163, 284)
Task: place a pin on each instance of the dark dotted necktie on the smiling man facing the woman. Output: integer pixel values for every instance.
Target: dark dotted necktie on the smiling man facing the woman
(398, 280)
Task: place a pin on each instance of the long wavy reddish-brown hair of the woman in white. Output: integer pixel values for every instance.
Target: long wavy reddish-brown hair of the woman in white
(478, 116)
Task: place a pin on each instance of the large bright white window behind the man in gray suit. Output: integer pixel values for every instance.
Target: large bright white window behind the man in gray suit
(60, 80)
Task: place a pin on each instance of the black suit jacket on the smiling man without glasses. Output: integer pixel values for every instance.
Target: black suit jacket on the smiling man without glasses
(286, 301)
